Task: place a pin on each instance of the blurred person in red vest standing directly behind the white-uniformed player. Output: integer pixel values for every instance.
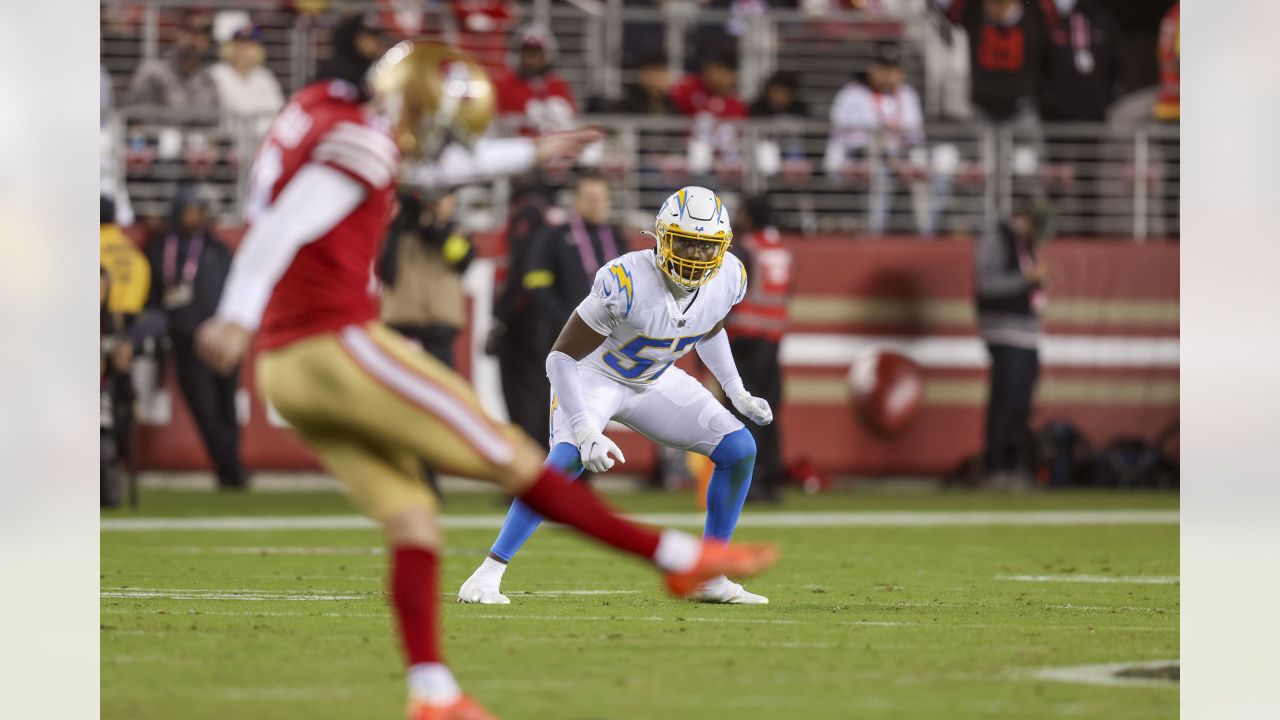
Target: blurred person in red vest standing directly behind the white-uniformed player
(756, 329)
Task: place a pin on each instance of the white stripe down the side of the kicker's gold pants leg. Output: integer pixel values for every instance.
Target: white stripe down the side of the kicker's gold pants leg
(479, 432)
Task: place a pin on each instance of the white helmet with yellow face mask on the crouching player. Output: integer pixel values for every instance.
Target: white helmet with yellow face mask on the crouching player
(693, 233)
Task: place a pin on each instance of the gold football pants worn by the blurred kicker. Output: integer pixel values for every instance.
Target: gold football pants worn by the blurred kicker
(376, 407)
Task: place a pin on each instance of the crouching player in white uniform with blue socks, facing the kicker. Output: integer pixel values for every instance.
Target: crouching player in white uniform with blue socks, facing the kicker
(614, 362)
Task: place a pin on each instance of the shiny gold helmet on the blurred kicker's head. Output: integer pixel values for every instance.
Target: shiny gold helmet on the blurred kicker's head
(433, 94)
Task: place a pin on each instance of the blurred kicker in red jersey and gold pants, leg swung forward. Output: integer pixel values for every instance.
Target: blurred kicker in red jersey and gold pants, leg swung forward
(372, 404)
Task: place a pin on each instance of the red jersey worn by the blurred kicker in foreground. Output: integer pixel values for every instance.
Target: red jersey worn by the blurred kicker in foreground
(331, 282)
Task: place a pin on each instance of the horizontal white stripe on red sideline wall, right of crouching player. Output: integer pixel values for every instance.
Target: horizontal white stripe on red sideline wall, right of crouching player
(1063, 352)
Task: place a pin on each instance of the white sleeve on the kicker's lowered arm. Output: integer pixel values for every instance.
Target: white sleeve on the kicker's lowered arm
(314, 202)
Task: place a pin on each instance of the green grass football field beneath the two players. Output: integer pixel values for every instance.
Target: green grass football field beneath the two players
(865, 622)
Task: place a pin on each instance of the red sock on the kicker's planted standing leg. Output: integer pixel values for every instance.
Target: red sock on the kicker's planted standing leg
(415, 599)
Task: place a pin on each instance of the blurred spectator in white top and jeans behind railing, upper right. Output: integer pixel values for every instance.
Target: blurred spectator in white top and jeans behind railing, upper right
(877, 133)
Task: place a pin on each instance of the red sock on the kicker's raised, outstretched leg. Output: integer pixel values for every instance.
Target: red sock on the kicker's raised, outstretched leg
(574, 504)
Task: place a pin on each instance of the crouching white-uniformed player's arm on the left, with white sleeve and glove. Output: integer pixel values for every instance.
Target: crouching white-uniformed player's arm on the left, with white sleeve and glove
(577, 341)
